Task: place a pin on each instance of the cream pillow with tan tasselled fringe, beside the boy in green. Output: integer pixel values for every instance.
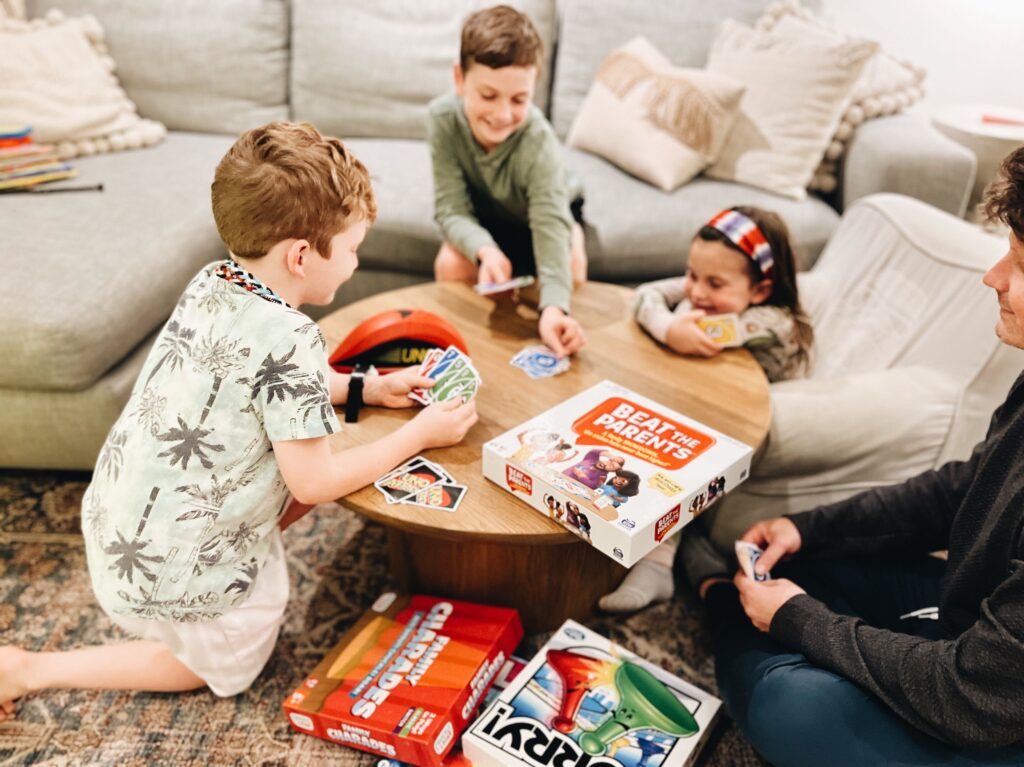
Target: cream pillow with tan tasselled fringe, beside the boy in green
(662, 123)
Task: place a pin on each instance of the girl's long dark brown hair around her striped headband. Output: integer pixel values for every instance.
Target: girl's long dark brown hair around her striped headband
(784, 274)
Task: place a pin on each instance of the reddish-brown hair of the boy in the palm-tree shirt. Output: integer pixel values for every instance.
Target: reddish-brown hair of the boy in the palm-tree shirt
(286, 181)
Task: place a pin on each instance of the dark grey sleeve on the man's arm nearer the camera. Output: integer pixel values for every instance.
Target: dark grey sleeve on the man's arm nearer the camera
(966, 692)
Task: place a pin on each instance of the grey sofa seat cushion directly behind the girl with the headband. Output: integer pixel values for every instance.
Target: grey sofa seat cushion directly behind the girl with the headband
(636, 232)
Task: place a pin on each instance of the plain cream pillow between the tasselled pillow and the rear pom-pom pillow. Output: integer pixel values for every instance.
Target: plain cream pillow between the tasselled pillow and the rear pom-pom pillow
(797, 91)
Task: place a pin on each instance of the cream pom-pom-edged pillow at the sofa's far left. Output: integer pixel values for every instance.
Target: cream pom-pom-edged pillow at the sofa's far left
(59, 79)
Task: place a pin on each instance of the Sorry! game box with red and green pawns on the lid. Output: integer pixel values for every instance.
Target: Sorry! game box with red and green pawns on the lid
(585, 702)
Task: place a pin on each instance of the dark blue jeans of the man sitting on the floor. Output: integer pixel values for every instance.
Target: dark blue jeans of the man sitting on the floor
(796, 714)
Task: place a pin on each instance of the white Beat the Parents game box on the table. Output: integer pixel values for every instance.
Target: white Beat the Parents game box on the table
(620, 471)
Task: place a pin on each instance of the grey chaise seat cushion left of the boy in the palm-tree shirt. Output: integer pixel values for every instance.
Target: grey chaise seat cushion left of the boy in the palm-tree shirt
(98, 272)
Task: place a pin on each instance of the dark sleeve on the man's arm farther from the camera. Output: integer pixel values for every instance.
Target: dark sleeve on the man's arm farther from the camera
(913, 516)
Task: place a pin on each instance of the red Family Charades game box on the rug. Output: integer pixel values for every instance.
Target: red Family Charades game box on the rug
(407, 679)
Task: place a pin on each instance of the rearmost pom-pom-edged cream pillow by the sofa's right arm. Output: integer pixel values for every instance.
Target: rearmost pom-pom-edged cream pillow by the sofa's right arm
(886, 87)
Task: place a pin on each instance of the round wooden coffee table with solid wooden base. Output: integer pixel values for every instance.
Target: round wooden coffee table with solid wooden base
(496, 549)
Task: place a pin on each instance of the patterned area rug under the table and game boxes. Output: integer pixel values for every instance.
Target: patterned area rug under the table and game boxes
(338, 566)
